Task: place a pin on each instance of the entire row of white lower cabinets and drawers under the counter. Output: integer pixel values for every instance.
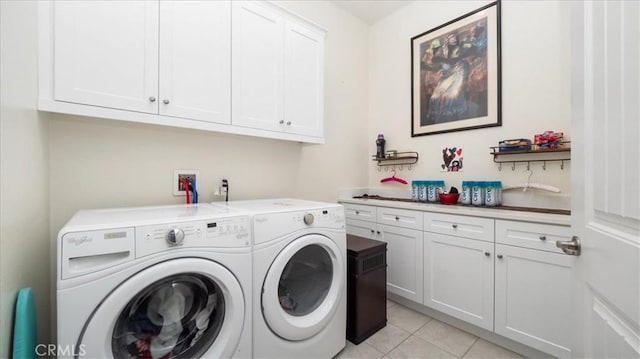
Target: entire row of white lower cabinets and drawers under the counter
(504, 276)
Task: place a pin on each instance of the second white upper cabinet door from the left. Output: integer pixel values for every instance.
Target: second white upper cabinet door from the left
(195, 60)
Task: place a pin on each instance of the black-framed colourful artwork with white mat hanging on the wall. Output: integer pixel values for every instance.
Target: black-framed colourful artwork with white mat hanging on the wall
(455, 74)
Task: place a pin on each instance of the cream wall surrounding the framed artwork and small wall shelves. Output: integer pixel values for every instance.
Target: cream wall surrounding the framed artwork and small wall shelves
(535, 93)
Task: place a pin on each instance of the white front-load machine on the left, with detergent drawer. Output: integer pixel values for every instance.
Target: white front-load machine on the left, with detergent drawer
(153, 281)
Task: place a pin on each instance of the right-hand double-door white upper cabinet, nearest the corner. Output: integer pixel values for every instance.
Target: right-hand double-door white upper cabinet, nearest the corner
(278, 71)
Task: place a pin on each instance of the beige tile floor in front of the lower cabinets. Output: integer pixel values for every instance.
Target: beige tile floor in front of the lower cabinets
(410, 334)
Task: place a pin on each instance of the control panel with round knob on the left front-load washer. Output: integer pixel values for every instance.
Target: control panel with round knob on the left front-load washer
(234, 232)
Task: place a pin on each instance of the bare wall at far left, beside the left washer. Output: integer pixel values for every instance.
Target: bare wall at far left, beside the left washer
(24, 228)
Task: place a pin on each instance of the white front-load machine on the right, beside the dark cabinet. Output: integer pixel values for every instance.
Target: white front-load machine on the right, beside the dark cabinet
(299, 278)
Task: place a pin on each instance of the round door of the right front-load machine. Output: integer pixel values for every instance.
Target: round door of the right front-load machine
(302, 288)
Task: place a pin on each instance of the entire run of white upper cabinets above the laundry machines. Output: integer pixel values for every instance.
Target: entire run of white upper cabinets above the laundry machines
(249, 68)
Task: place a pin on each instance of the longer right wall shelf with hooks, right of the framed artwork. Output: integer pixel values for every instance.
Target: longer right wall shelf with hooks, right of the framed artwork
(529, 154)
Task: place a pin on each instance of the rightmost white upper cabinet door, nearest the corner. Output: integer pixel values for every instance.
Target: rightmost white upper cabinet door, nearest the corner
(303, 80)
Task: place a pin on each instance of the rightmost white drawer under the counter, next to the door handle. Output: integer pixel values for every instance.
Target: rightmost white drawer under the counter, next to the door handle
(532, 235)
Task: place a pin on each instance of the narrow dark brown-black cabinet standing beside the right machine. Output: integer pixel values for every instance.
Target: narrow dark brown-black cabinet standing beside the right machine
(366, 287)
